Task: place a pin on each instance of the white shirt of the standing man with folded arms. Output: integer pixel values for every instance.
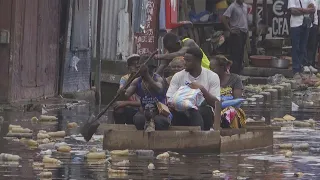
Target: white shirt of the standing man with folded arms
(296, 21)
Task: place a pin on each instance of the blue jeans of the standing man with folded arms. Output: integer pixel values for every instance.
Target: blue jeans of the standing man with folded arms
(299, 37)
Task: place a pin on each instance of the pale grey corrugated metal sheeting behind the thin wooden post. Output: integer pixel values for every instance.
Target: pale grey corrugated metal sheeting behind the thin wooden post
(109, 27)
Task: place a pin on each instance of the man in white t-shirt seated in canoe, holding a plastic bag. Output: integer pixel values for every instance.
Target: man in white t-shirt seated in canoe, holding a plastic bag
(196, 77)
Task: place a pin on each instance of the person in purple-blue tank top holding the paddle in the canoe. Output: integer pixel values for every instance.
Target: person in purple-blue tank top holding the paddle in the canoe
(151, 89)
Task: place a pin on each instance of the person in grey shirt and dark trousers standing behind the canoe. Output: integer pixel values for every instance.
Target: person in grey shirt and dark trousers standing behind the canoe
(235, 20)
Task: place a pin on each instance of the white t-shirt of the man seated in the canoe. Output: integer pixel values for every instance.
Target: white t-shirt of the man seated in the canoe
(208, 79)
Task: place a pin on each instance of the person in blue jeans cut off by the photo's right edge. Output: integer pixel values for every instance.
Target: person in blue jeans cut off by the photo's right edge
(313, 41)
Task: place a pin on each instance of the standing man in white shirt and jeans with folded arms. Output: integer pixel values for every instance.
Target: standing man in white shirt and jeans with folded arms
(299, 32)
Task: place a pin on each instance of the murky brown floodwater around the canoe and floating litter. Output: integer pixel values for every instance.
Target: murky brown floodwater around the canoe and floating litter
(268, 163)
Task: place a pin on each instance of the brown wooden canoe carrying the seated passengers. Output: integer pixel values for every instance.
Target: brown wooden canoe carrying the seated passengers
(186, 139)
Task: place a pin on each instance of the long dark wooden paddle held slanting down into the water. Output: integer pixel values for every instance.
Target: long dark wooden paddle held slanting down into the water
(91, 126)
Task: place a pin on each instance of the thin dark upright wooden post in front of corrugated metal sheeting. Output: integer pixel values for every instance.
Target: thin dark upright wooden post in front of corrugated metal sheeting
(98, 56)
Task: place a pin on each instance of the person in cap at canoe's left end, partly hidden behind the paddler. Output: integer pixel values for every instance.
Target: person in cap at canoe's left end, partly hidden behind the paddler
(125, 110)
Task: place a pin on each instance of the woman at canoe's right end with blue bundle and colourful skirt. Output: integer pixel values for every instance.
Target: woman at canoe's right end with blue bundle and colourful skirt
(232, 116)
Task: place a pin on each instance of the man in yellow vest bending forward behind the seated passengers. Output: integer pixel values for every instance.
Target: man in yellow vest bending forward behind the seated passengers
(175, 48)
